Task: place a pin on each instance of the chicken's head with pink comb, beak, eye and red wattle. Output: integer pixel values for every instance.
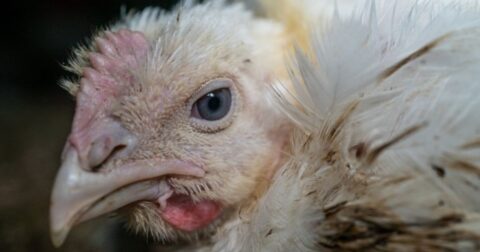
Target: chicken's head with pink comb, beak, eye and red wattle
(173, 121)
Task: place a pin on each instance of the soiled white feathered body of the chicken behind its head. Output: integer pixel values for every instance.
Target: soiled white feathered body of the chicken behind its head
(386, 155)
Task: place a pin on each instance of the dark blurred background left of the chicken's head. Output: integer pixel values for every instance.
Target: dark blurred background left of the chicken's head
(35, 115)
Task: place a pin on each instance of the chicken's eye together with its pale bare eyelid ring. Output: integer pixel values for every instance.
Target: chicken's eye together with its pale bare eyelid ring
(219, 95)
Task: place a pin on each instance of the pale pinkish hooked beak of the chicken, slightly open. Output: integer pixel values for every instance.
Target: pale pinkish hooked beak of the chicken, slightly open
(79, 194)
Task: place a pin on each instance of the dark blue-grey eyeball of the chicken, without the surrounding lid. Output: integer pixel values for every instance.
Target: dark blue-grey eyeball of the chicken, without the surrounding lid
(213, 106)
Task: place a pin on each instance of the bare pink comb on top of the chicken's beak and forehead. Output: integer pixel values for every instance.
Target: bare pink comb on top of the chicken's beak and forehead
(118, 54)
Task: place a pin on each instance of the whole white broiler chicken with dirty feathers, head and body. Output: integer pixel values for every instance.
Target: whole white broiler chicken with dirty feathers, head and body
(200, 125)
